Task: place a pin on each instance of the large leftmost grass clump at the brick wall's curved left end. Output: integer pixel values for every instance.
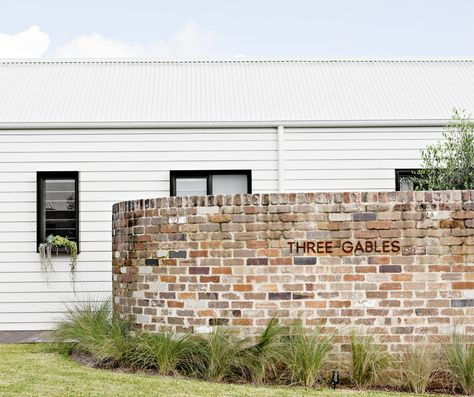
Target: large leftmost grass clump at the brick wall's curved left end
(94, 330)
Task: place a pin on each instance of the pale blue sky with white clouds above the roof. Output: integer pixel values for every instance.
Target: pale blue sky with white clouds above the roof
(236, 28)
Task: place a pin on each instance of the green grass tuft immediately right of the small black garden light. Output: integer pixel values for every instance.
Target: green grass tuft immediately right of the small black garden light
(367, 360)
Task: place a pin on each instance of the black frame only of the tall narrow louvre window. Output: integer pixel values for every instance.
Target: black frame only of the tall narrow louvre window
(40, 177)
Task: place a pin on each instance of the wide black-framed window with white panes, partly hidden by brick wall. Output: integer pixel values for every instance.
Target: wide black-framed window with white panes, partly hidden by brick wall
(204, 182)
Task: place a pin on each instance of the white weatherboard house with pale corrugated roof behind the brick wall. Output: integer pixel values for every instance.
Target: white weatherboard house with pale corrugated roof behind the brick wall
(78, 136)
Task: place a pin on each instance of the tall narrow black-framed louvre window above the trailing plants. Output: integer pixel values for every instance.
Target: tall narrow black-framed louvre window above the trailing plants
(57, 205)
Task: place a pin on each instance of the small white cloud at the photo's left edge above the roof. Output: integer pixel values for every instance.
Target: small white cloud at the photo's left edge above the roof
(30, 43)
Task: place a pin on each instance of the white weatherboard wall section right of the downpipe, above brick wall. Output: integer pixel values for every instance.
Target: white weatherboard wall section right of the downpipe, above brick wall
(348, 159)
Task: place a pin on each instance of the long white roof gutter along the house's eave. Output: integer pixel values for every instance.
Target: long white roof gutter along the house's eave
(222, 124)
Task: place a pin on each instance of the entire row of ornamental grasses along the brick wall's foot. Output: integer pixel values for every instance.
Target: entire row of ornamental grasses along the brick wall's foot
(281, 354)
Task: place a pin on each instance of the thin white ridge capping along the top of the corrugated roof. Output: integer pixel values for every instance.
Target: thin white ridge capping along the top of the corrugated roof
(230, 60)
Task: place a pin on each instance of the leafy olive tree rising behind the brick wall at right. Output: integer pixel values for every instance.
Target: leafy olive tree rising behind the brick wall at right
(449, 163)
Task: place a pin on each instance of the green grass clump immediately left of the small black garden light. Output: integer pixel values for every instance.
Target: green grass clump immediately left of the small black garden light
(306, 354)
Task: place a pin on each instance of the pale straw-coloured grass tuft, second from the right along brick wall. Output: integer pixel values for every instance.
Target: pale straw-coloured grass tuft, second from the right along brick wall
(418, 365)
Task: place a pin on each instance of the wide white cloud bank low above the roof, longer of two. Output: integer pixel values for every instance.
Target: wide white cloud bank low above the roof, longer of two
(191, 41)
